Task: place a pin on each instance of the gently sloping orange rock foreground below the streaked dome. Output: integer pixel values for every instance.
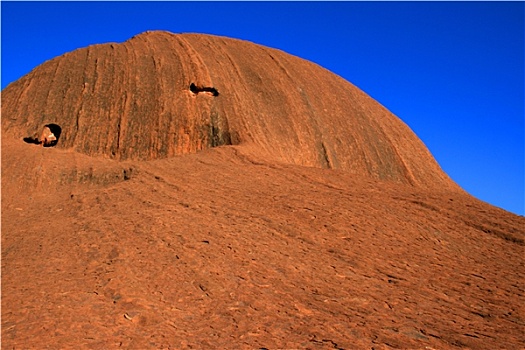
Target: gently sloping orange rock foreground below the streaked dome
(225, 250)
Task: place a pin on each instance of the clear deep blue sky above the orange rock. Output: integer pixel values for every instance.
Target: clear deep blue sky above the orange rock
(452, 71)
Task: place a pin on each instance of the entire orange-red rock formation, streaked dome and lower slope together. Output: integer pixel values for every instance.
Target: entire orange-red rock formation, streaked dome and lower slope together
(207, 192)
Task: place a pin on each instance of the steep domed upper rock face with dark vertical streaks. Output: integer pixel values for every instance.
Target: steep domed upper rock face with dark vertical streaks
(159, 94)
